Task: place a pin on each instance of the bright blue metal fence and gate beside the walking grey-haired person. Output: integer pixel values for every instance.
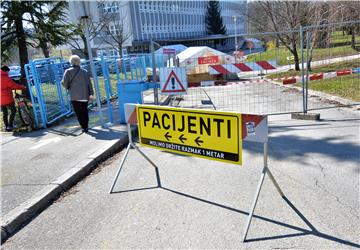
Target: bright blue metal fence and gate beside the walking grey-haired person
(50, 99)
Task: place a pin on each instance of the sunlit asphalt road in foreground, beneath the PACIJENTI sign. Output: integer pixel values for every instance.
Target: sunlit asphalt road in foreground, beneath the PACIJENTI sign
(196, 203)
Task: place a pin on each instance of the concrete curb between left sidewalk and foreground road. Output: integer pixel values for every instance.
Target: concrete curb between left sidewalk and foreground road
(18, 217)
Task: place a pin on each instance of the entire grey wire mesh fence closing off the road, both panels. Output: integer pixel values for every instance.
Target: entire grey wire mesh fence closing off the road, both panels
(242, 83)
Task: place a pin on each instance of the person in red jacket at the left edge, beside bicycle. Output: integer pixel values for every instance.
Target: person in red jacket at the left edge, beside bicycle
(7, 99)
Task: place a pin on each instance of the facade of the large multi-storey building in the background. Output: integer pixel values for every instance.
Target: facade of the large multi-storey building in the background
(136, 23)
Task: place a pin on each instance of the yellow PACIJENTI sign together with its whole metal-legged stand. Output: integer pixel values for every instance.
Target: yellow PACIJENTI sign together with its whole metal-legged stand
(206, 134)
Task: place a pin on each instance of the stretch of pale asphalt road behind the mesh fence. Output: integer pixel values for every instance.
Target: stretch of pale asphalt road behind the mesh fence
(246, 97)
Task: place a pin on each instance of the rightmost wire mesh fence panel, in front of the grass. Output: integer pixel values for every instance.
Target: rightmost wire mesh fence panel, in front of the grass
(331, 62)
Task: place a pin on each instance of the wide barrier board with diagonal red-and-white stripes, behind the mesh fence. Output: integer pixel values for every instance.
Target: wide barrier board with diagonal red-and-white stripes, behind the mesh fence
(225, 69)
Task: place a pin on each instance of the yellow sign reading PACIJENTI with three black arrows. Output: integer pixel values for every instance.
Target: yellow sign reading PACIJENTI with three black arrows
(208, 134)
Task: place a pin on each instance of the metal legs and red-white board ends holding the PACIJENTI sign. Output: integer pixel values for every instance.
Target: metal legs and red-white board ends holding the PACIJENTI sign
(256, 131)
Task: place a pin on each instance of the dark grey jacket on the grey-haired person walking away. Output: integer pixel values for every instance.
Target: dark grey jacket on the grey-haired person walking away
(77, 81)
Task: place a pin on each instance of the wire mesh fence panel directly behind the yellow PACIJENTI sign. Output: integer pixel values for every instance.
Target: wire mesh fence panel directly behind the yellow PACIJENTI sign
(237, 82)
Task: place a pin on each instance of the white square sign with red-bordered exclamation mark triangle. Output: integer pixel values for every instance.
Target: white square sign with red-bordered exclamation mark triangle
(173, 80)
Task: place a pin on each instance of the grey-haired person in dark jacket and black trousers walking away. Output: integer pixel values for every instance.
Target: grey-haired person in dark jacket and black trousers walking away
(77, 81)
